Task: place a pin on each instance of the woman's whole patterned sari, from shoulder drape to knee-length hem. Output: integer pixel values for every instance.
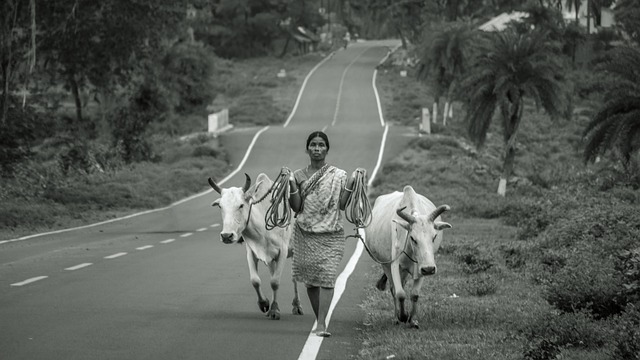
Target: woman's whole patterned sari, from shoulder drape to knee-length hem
(318, 239)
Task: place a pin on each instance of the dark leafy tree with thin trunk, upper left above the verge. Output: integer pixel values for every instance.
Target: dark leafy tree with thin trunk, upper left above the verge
(94, 42)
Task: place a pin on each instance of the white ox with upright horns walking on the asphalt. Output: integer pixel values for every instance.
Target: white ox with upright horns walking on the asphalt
(243, 219)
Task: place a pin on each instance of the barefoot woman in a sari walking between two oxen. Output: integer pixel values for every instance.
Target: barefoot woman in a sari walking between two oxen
(318, 194)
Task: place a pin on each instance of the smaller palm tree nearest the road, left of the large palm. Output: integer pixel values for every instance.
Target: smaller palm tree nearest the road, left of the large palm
(442, 63)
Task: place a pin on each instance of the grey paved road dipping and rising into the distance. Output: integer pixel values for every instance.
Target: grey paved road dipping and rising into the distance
(162, 286)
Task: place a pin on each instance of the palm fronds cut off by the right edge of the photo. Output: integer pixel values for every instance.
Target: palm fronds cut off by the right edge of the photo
(616, 126)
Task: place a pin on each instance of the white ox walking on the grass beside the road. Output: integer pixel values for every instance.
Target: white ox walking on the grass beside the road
(404, 236)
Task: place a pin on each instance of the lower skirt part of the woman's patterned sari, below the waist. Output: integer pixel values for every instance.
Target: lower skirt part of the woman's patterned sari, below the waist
(316, 257)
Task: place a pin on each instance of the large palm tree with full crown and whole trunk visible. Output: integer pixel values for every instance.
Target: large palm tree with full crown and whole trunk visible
(509, 67)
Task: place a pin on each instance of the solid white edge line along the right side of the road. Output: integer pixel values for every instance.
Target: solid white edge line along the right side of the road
(312, 345)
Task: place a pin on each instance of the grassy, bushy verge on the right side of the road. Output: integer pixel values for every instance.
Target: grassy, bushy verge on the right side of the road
(509, 283)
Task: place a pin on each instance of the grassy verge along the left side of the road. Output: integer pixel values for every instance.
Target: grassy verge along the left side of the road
(44, 196)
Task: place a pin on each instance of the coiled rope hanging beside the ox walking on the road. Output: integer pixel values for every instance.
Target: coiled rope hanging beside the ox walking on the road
(279, 212)
